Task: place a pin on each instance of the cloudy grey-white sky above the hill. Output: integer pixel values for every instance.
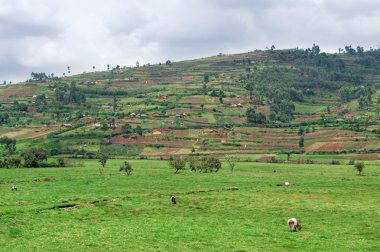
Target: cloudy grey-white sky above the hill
(50, 35)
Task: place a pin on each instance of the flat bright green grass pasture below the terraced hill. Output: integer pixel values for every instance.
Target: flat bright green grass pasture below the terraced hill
(339, 210)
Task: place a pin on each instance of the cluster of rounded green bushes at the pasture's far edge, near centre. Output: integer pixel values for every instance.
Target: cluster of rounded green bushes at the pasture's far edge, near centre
(200, 164)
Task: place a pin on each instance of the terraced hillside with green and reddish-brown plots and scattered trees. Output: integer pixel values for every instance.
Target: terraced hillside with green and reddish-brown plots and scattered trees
(255, 106)
